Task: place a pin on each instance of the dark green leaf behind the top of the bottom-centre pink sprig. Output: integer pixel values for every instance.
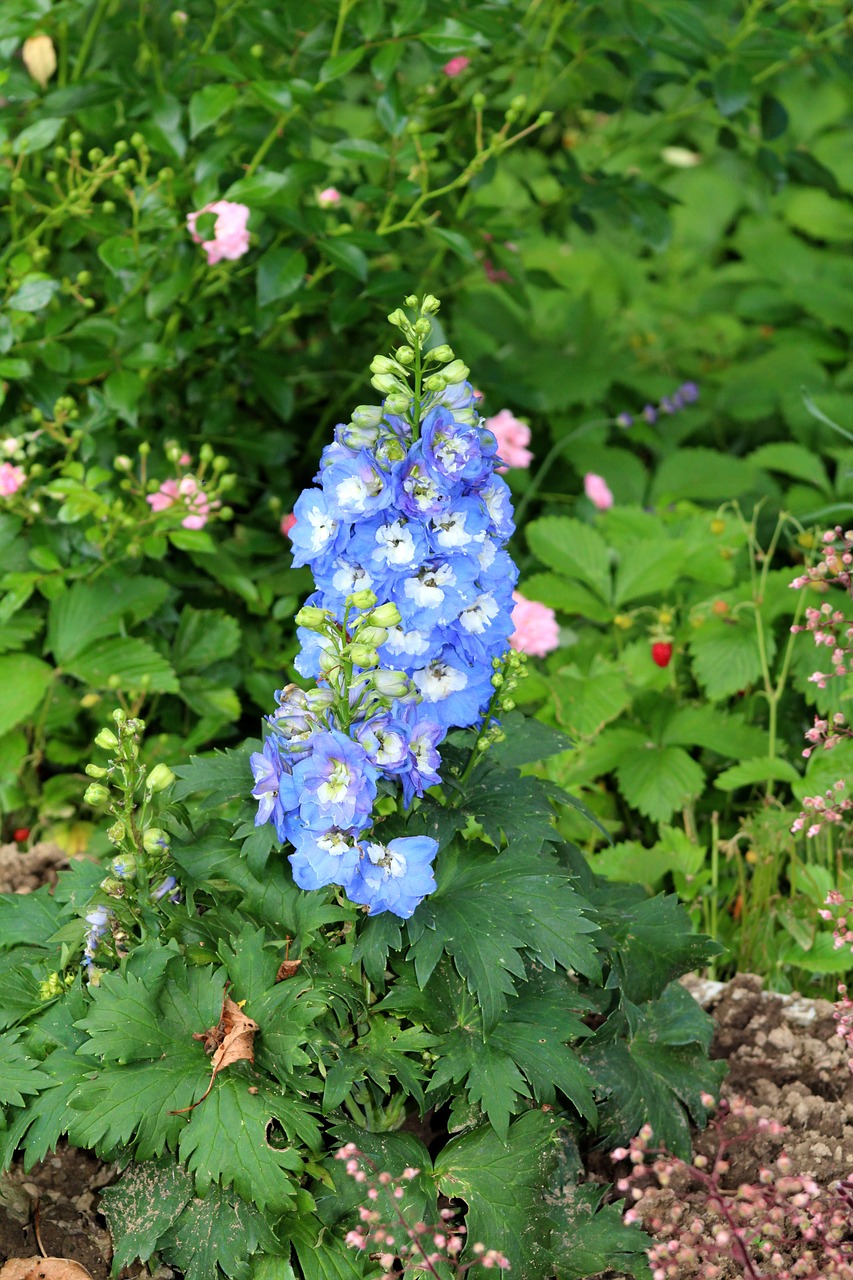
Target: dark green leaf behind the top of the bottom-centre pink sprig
(391, 1153)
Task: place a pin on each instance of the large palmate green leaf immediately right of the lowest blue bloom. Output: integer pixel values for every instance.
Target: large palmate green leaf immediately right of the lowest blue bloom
(487, 911)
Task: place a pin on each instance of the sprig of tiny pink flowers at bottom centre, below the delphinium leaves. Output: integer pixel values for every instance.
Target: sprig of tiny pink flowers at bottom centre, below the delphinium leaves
(387, 1233)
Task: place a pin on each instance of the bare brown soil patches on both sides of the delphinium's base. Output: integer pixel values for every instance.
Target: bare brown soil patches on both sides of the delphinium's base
(783, 1055)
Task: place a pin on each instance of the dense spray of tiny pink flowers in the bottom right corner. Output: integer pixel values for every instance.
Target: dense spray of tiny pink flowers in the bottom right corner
(783, 1228)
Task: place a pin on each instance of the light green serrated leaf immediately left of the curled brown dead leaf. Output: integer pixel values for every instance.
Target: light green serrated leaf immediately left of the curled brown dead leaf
(135, 1101)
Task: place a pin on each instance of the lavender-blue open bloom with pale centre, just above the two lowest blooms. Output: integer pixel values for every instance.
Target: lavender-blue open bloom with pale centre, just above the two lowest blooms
(336, 784)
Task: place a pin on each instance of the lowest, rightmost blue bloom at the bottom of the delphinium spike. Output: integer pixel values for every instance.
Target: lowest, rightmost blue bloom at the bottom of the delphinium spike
(395, 877)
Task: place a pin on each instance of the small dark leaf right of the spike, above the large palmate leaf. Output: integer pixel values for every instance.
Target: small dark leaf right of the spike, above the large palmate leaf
(508, 806)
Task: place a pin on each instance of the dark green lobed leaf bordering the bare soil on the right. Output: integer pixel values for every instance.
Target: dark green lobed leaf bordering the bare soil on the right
(656, 1075)
